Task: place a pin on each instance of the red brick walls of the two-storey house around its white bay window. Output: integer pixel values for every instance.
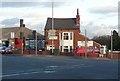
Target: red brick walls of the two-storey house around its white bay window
(77, 37)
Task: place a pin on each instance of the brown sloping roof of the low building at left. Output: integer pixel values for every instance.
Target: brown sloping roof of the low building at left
(6, 32)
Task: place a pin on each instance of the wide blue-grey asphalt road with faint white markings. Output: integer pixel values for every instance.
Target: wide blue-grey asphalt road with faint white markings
(58, 67)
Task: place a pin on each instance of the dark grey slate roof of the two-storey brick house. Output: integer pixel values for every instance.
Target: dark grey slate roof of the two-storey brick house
(61, 23)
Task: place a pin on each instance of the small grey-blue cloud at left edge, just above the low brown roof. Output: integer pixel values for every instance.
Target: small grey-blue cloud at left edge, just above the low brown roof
(10, 22)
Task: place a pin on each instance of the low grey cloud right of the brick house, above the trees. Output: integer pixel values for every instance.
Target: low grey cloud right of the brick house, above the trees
(97, 30)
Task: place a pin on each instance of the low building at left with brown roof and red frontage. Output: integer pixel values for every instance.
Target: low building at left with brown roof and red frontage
(9, 36)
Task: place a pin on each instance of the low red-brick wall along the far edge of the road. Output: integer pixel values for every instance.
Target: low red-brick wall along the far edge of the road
(46, 52)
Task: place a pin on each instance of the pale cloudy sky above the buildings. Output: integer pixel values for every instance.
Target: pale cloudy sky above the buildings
(98, 17)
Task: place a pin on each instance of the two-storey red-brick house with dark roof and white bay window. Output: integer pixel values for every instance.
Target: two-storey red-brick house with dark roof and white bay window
(66, 34)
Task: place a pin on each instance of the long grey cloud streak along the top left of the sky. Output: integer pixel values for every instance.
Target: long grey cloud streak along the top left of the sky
(30, 4)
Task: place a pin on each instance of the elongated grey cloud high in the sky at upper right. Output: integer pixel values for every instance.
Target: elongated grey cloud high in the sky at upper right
(104, 10)
